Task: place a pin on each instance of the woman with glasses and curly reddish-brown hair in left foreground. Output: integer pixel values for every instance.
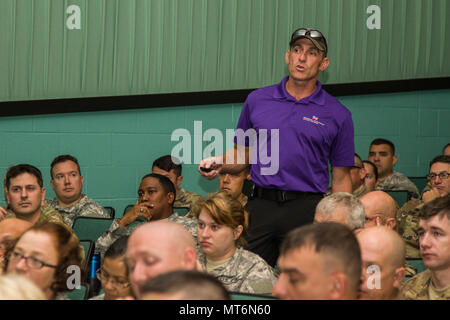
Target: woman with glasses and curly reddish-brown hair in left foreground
(44, 254)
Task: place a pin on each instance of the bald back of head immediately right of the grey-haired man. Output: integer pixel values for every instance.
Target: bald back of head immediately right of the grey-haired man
(380, 209)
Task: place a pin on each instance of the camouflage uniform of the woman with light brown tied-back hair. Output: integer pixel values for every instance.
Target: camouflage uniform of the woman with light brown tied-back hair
(245, 272)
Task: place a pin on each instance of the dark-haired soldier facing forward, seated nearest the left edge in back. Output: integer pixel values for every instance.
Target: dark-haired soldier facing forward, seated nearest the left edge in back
(25, 192)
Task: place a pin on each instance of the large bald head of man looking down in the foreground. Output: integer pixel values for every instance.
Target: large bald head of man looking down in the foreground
(159, 247)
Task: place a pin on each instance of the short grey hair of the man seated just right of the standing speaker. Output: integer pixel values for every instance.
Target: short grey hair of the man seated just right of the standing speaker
(354, 208)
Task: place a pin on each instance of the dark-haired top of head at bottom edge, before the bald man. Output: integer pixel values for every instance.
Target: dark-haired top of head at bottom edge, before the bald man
(192, 285)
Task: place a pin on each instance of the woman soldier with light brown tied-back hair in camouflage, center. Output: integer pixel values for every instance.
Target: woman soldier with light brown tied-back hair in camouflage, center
(222, 221)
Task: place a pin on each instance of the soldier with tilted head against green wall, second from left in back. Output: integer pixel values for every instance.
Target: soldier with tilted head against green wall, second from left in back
(67, 182)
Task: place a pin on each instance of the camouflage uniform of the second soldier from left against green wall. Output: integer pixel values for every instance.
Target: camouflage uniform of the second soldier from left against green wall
(85, 207)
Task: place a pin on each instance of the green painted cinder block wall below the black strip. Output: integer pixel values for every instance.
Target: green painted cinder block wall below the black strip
(116, 148)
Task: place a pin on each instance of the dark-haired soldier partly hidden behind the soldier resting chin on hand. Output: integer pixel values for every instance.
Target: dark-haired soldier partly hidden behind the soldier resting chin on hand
(170, 167)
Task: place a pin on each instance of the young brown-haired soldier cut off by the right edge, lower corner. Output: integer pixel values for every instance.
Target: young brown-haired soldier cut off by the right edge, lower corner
(434, 240)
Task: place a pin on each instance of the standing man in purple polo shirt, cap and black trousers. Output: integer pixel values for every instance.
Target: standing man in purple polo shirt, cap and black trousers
(304, 128)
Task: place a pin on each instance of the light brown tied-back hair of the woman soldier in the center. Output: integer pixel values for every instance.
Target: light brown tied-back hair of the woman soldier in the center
(224, 210)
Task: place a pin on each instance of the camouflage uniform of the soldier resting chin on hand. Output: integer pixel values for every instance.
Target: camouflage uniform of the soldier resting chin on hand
(116, 231)
